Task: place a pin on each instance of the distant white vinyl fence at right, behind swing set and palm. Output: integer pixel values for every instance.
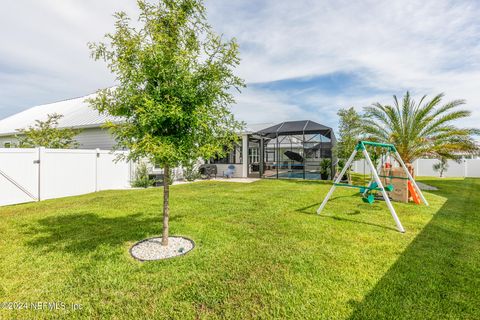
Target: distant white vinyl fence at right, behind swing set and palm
(469, 168)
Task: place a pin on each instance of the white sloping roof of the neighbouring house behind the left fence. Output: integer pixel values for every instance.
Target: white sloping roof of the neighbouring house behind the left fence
(76, 113)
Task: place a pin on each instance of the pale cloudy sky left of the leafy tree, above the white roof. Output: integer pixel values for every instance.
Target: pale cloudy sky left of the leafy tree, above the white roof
(44, 55)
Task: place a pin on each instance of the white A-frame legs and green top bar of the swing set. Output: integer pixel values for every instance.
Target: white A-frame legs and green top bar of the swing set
(361, 146)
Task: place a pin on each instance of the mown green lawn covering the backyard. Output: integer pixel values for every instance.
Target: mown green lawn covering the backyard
(261, 252)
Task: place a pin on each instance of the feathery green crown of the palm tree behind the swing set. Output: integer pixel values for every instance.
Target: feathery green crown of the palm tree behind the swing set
(421, 129)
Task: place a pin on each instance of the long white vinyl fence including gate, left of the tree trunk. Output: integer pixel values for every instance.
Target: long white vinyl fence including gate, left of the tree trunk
(38, 174)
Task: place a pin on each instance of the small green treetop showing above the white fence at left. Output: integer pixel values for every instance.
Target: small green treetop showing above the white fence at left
(47, 134)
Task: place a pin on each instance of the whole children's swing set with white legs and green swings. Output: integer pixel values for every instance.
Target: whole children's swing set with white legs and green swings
(385, 167)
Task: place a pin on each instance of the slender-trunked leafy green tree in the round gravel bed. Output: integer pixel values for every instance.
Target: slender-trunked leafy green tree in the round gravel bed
(175, 79)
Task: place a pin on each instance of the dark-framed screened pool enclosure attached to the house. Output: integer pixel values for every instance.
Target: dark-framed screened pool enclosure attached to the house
(294, 149)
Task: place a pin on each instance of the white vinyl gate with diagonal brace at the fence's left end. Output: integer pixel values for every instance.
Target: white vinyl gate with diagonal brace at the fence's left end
(19, 176)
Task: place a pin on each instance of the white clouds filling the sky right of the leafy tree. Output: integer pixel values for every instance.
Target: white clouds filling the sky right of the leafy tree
(426, 47)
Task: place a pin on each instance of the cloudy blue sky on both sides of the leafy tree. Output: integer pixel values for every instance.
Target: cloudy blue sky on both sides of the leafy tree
(301, 59)
